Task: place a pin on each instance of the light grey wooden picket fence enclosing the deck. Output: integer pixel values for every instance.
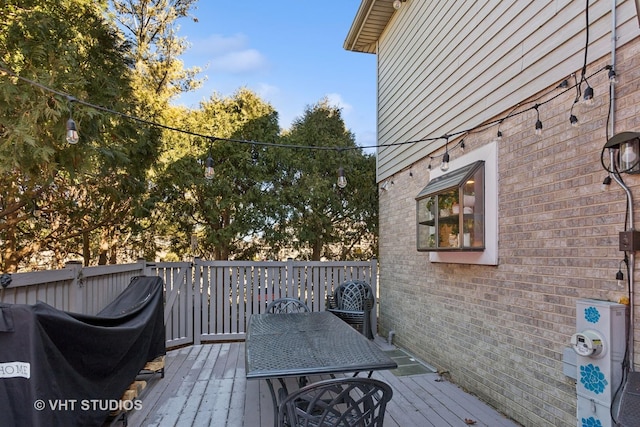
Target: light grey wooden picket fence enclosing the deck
(204, 300)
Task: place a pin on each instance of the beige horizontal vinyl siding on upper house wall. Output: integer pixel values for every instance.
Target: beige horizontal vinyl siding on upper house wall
(447, 66)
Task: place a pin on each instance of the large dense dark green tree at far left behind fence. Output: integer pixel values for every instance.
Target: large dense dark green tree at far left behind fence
(54, 195)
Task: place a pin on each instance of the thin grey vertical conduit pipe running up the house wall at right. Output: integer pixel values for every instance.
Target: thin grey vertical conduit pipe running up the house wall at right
(616, 177)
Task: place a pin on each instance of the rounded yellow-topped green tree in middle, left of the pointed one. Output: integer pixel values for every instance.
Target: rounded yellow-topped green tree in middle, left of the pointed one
(222, 213)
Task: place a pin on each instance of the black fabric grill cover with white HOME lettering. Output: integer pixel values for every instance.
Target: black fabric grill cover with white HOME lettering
(66, 369)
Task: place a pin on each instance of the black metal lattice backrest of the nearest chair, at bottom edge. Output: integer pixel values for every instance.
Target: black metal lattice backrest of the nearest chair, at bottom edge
(341, 402)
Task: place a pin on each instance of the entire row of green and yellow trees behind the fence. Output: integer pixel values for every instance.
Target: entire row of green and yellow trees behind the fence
(130, 188)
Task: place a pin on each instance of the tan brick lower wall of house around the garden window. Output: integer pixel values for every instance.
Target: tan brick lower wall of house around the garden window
(500, 330)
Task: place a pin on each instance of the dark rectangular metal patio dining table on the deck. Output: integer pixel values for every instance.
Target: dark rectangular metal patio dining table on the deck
(301, 344)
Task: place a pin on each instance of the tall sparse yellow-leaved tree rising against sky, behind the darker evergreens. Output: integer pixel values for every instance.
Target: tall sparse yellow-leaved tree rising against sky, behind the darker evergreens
(150, 28)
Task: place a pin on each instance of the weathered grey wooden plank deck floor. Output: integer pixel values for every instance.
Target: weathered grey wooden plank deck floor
(205, 385)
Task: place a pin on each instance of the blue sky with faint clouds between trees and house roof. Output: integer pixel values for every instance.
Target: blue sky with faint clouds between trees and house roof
(289, 52)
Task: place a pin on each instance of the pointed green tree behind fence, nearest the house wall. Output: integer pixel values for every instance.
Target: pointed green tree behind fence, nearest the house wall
(308, 211)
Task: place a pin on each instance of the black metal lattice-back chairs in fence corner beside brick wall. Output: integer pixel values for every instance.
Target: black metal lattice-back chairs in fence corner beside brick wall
(353, 301)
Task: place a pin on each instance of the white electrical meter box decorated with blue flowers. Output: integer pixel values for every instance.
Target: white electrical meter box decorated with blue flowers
(599, 344)
